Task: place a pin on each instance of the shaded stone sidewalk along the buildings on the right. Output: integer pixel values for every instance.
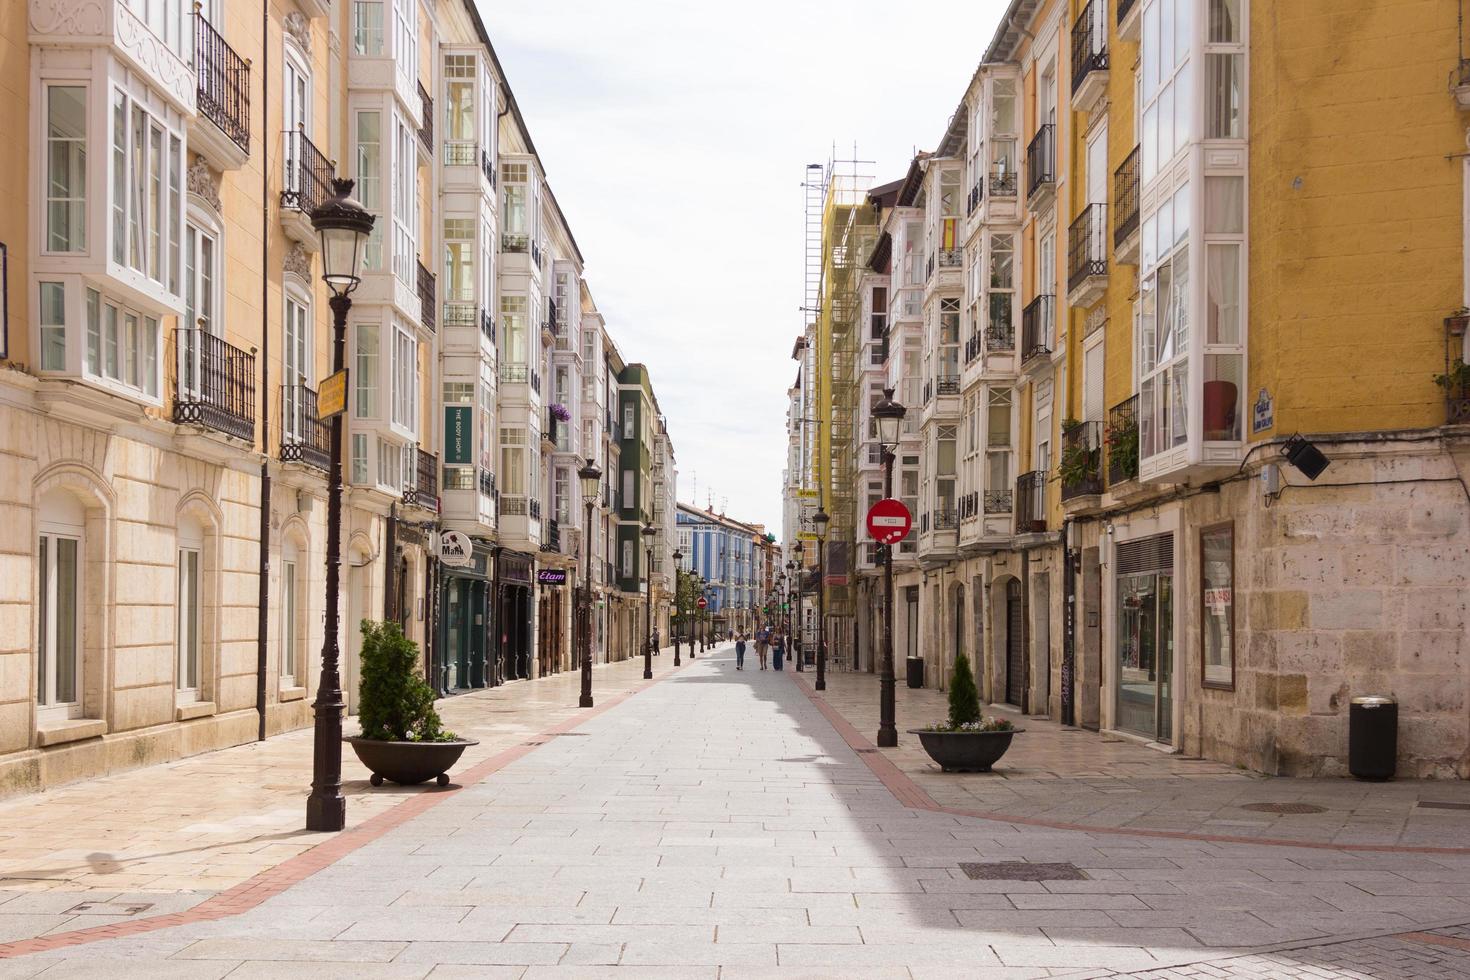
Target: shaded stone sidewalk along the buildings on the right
(1069, 777)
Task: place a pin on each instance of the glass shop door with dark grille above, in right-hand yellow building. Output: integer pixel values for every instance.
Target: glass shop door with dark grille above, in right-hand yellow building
(1146, 643)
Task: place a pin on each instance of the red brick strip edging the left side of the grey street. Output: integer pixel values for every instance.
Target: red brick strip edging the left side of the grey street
(270, 884)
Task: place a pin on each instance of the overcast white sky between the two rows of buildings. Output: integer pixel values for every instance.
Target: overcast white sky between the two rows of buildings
(675, 136)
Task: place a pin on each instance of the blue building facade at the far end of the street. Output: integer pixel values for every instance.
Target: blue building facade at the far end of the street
(723, 553)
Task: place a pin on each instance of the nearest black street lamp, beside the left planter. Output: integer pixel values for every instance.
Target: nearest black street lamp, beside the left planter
(345, 226)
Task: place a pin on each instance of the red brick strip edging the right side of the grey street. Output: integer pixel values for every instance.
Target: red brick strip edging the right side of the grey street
(911, 796)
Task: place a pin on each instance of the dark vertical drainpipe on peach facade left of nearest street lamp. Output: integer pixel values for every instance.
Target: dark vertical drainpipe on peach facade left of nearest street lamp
(264, 572)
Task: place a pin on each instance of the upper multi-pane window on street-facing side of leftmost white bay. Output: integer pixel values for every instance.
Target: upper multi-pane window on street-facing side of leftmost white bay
(148, 208)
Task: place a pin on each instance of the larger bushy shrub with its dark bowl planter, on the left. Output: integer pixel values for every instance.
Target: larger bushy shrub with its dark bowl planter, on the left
(404, 738)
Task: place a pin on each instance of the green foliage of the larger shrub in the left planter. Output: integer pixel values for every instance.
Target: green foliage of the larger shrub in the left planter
(395, 703)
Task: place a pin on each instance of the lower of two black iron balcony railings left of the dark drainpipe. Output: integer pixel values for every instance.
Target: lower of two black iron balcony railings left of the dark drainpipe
(215, 384)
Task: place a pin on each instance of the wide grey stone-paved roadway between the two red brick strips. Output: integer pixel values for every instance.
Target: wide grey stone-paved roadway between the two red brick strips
(715, 825)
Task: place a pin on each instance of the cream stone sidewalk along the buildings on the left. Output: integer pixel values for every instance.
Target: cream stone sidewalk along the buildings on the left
(171, 837)
